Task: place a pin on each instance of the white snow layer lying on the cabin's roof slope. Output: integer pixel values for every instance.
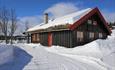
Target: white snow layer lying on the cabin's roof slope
(67, 19)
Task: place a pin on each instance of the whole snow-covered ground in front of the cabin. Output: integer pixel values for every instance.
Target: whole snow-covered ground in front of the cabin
(97, 55)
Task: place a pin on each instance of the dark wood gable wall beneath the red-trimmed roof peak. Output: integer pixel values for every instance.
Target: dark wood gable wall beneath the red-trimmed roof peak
(87, 28)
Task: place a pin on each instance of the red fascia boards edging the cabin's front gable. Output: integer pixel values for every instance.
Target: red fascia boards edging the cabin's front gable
(81, 20)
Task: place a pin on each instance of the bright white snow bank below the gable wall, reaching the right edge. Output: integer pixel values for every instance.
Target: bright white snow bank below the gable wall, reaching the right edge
(100, 51)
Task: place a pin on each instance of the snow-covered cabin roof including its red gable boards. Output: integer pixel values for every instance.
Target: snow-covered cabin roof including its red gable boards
(73, 20)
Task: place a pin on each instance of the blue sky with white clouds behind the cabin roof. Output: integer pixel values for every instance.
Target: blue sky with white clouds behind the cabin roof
(32, 10)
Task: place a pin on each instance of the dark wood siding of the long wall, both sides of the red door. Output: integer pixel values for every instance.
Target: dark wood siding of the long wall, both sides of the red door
(61, 38)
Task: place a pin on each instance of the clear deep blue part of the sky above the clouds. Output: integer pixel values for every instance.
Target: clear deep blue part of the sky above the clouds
(37, 7)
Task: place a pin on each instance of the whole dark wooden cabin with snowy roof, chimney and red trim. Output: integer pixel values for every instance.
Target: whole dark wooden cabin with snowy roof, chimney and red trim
(71, 30)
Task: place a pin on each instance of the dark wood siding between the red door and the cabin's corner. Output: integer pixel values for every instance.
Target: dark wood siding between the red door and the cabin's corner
(62, 38)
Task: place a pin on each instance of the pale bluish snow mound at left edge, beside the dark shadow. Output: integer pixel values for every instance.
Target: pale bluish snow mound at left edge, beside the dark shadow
(6, 54)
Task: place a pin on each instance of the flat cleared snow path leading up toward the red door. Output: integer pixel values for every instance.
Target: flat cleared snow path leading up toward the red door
(44, 60)
